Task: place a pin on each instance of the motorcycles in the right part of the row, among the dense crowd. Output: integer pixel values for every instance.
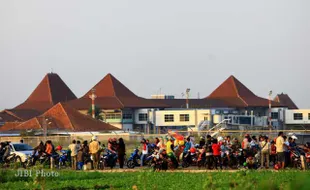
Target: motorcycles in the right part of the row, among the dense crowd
(231, 159)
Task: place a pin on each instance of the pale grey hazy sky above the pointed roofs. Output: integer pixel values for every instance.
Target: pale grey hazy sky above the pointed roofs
(156, 46)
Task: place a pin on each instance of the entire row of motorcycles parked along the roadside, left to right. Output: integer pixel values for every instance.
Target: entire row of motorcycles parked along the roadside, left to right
(232, 159)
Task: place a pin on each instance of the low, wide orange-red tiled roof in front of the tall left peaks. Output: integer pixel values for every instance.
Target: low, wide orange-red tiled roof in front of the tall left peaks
(62, 117)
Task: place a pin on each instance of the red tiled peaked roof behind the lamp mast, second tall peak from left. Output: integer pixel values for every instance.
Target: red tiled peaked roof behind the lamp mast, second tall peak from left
(112, 94)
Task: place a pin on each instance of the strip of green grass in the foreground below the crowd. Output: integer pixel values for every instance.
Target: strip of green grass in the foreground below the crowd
(162, 180)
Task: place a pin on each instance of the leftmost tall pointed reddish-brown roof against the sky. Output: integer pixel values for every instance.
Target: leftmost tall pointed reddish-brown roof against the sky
(49, 92)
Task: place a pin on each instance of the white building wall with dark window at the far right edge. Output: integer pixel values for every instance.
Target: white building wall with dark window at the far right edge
(289, 116)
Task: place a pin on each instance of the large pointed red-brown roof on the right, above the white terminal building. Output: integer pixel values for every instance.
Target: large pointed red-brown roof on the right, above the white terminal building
(236, 93)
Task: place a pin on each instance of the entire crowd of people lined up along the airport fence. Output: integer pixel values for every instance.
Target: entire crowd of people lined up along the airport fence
(174, 150)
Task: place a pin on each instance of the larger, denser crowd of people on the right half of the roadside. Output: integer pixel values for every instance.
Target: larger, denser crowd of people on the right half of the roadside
(251, 152)
